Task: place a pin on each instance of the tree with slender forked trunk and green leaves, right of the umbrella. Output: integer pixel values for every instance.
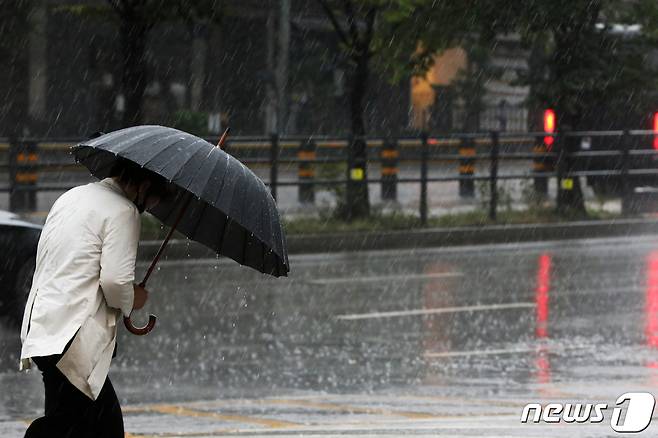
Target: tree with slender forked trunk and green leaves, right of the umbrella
(402, 37)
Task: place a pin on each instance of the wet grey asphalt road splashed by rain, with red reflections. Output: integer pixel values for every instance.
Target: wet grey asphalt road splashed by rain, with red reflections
(449, 342)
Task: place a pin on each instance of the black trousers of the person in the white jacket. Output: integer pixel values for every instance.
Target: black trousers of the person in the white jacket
(71, 414)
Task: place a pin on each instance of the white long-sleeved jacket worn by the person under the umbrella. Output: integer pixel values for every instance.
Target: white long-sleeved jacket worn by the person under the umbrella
(85, 269)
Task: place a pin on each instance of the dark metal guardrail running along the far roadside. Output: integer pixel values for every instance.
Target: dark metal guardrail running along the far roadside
(558, 158)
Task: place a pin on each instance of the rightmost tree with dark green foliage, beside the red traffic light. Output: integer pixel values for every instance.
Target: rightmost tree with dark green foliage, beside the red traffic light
(594, 75)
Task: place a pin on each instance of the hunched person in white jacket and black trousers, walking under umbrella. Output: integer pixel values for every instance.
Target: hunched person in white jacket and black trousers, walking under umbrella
(83, 282)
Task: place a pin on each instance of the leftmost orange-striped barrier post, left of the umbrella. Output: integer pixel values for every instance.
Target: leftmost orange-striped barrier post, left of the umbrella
(23, 158)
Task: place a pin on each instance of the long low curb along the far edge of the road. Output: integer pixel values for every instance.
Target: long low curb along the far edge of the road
(423, 238)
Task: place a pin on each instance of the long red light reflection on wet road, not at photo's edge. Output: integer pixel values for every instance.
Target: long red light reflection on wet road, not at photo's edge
(542, 289)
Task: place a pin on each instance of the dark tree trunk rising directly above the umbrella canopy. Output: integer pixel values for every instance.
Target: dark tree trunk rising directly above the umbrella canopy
(133, 40)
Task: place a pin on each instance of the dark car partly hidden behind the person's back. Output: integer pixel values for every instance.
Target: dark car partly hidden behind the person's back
(18, 249)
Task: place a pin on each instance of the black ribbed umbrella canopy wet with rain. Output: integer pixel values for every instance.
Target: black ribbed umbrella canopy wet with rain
(231, 210)
